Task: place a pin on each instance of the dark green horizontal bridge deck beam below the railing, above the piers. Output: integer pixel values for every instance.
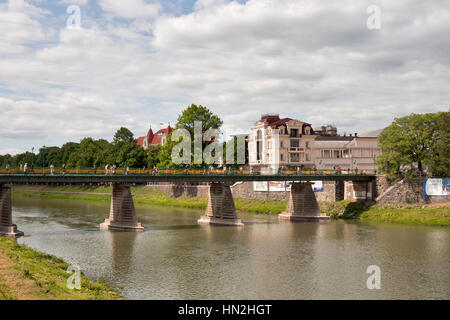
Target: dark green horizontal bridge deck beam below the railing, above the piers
(148, 178)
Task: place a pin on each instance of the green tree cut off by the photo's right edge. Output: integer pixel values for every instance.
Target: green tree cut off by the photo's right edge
(438, 159)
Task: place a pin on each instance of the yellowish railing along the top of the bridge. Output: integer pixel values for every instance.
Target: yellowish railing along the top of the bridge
(178, 171)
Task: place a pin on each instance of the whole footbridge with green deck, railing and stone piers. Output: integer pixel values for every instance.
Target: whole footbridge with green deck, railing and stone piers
(302, 204)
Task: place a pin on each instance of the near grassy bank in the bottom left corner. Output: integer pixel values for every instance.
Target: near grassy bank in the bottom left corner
(26, 274)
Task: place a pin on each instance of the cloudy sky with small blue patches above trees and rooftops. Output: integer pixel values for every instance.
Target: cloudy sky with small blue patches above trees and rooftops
(138, 63)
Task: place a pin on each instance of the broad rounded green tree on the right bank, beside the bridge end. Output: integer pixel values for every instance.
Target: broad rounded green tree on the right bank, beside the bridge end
(406, 144)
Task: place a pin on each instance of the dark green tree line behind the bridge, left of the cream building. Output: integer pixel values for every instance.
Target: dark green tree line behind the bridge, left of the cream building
(122, 151)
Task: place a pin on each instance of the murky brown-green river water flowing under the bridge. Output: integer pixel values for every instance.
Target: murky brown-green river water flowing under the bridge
(177, 259)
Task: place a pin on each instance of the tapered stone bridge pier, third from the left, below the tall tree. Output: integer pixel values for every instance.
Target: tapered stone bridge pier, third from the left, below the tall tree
(220, 209)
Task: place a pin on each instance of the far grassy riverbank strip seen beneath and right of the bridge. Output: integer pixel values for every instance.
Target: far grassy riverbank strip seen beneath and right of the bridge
(424, 214)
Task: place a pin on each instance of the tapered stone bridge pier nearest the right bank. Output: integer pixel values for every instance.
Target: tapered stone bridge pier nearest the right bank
(302, 204)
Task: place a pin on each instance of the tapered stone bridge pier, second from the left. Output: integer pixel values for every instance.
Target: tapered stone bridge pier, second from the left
(122, 214)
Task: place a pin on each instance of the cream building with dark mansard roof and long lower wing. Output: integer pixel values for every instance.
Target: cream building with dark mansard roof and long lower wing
(275, 142)
